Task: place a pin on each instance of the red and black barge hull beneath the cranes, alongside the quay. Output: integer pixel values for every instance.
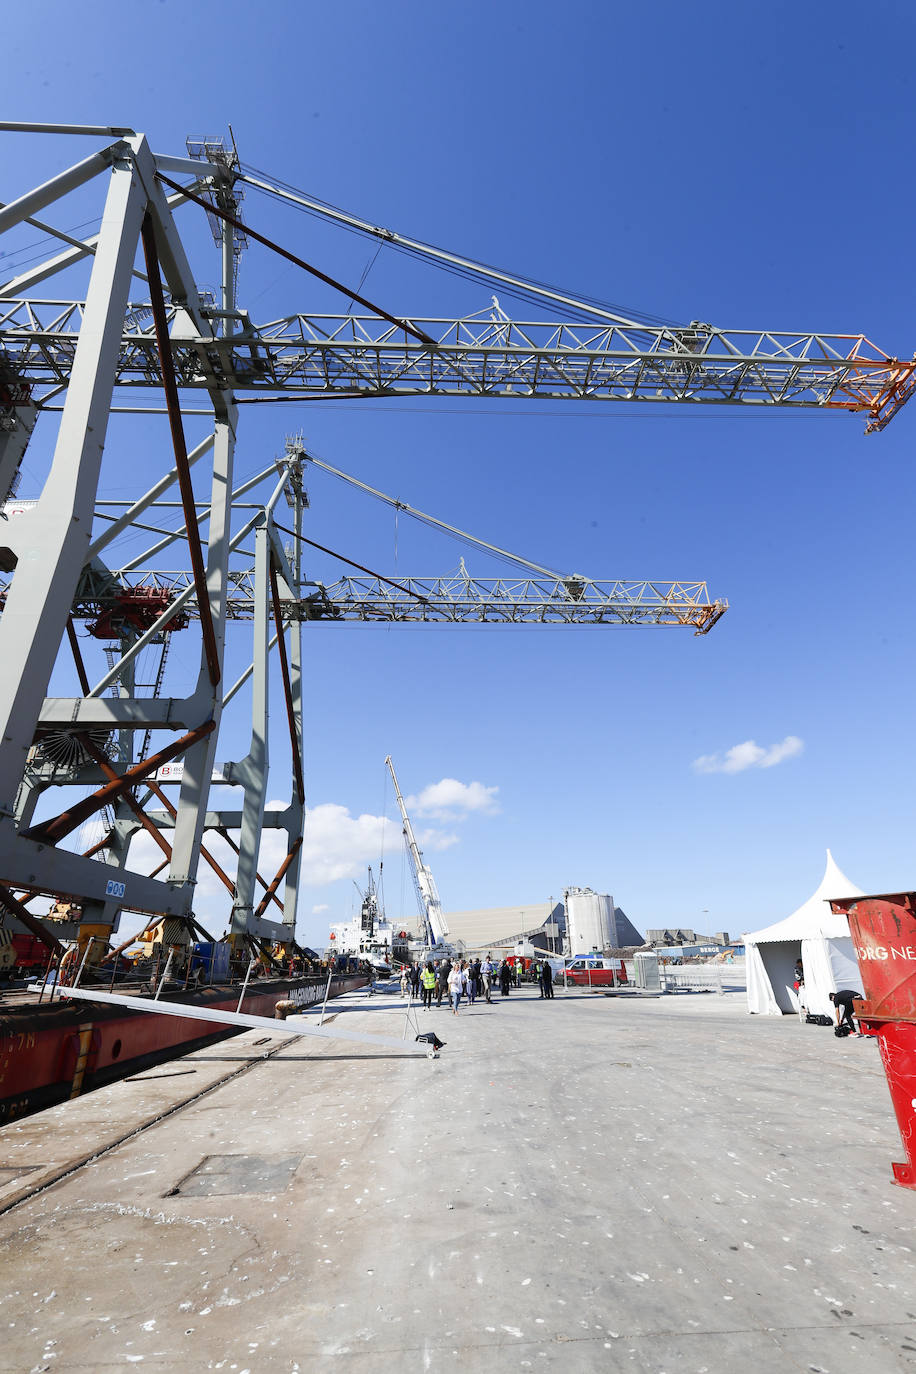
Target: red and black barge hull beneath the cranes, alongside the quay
(58, 1050)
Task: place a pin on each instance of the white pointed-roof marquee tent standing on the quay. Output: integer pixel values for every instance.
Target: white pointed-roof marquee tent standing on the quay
(815, 935)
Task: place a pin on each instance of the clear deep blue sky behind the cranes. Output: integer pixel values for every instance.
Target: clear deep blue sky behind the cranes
(730, 164)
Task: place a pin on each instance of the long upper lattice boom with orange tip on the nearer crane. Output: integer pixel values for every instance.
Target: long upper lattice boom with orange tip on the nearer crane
(481, 357)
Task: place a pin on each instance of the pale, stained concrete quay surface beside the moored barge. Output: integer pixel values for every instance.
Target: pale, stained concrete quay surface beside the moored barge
(591, 1184)
